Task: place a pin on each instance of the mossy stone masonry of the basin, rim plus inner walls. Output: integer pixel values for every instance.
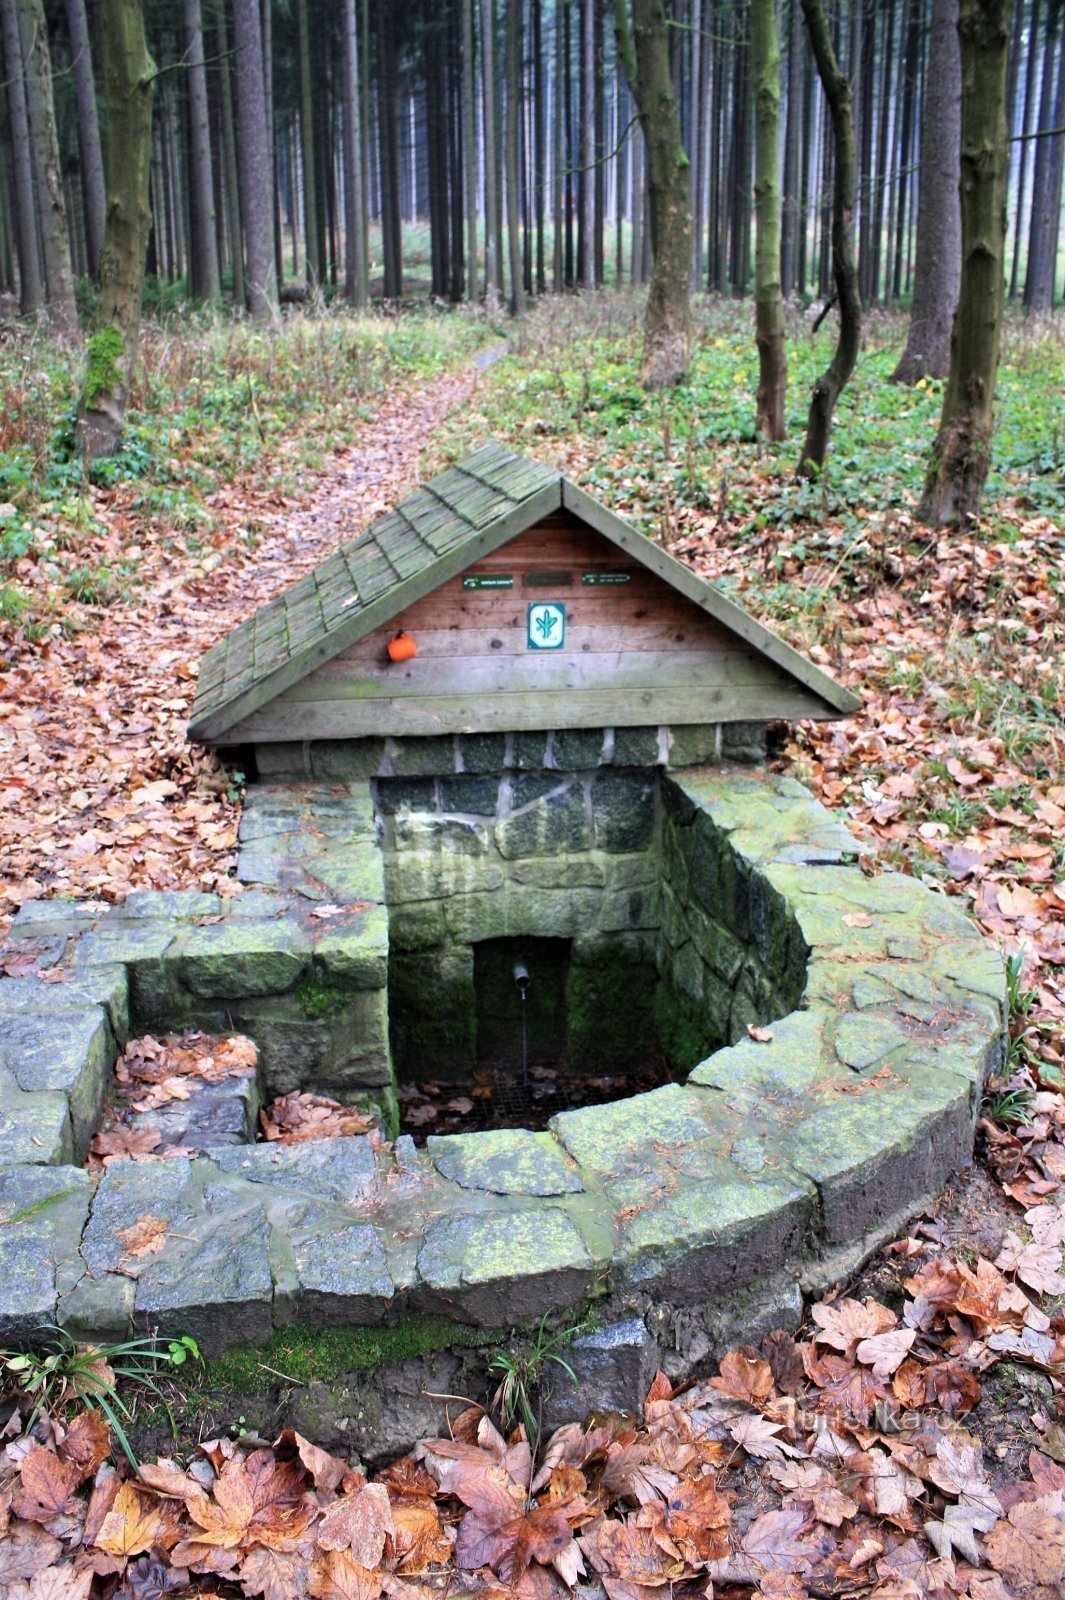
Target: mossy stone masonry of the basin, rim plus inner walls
(789, 1154)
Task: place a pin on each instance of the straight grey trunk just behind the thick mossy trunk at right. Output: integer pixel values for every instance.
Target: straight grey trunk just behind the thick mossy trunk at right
(938, 266)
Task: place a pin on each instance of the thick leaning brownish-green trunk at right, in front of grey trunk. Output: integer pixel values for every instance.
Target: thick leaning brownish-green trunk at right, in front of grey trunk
(962, 454)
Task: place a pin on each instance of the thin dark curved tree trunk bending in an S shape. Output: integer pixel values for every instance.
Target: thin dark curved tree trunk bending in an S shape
(832, 382)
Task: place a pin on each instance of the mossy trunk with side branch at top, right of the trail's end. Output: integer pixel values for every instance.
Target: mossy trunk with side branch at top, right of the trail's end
(645, 50)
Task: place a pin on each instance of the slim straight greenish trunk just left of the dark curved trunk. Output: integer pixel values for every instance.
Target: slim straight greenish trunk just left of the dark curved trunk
(773, 364)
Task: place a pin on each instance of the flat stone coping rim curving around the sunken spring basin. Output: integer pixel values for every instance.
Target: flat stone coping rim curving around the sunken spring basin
(780, 1164)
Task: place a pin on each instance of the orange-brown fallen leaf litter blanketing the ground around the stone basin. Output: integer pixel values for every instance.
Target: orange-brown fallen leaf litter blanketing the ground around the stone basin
(911, 1442)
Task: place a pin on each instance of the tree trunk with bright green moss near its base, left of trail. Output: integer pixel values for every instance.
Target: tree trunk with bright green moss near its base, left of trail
(113, 351)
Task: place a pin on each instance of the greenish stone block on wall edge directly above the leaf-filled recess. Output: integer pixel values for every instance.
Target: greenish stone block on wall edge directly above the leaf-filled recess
(233, 961)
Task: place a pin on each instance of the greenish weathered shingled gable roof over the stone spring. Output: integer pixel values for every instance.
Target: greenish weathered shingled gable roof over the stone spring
(426, 540)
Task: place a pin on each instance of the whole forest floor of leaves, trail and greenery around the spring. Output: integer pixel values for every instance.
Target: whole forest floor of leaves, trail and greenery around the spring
(912, 1442)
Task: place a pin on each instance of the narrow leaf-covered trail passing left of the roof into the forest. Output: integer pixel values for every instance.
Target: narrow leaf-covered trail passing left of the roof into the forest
(98, 791)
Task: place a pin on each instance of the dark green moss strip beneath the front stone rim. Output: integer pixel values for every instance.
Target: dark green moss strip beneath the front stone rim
(303, 1354)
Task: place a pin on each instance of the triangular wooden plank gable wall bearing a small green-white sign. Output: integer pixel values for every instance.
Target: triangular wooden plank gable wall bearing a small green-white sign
(634, 654)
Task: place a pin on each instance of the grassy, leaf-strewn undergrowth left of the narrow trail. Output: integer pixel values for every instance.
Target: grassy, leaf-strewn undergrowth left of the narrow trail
(212, 401)
